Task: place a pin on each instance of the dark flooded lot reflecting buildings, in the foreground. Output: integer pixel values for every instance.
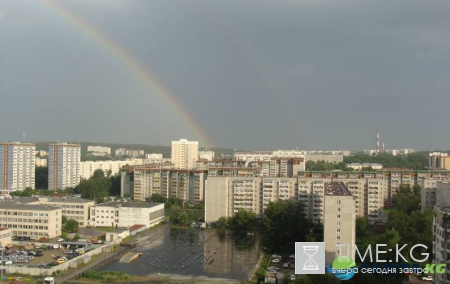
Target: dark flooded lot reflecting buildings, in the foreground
(193, 253)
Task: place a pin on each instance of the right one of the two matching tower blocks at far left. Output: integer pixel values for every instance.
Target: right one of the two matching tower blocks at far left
(63, 165)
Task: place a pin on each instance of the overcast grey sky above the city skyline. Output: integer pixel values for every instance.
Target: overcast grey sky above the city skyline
(254, 74)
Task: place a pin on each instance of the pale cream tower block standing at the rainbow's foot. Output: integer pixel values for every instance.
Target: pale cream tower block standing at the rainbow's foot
(184, 154)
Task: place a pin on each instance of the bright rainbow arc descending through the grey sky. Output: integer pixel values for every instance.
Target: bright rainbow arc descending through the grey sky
(128, 60)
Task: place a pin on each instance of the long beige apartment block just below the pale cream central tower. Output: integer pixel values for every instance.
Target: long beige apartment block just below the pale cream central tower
(187, 185)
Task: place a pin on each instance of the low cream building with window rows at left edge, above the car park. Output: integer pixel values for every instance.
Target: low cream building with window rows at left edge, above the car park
(31, 220)
